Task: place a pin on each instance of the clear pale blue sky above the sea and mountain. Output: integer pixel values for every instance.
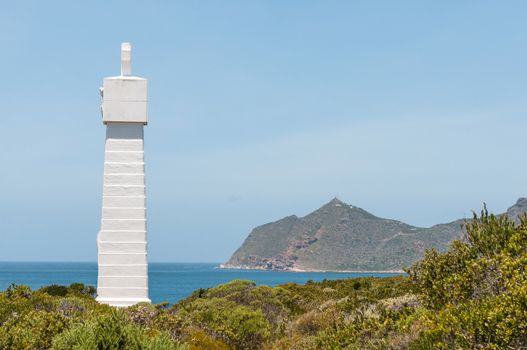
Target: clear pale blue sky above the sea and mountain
(413, 110)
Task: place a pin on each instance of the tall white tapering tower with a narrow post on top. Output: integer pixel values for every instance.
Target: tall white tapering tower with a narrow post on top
(121, 243)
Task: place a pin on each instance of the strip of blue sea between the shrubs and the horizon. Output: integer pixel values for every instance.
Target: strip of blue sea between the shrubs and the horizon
(167, 281)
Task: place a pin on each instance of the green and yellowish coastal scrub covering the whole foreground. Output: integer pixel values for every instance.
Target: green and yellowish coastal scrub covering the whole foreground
(474, 296)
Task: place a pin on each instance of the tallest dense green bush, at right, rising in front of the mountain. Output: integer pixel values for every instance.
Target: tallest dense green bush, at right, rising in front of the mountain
(477, 291)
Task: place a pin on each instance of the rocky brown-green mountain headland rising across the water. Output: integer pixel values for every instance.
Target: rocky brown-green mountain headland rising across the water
(341, 237)
